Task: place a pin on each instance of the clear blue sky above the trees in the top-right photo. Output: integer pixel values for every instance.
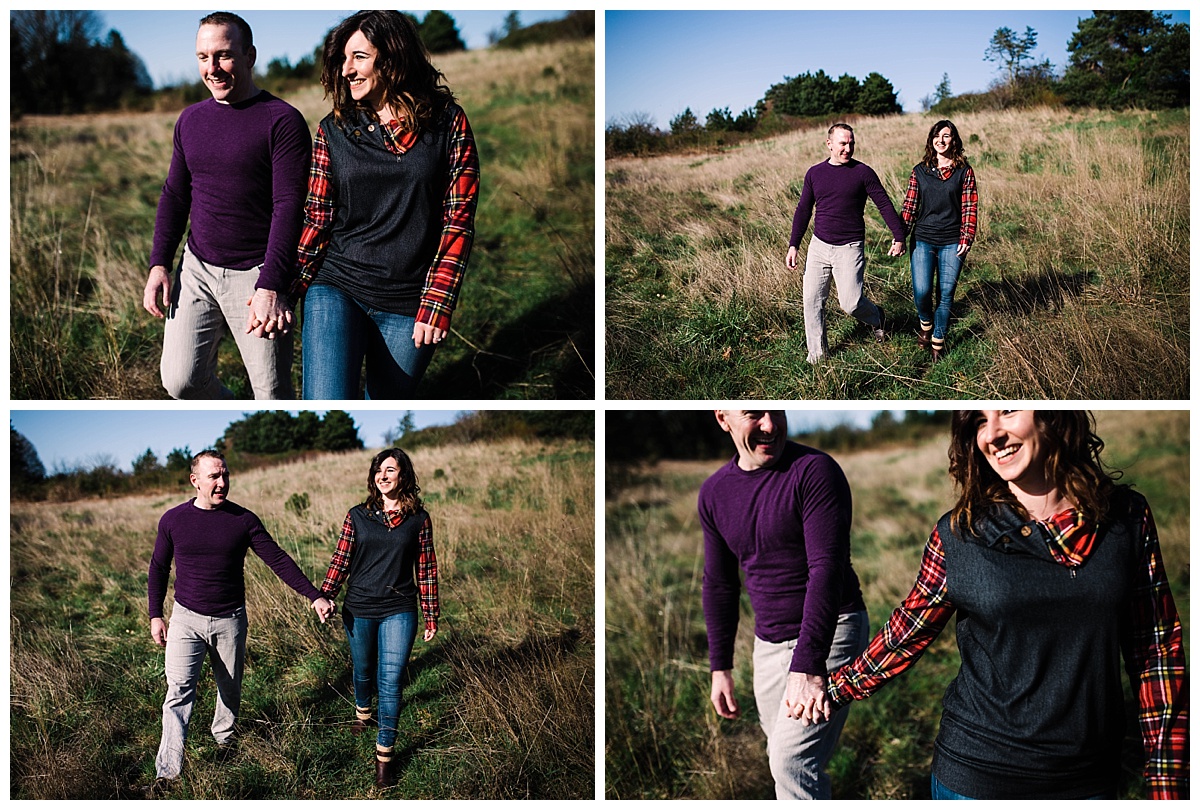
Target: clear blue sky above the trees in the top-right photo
(661, 63)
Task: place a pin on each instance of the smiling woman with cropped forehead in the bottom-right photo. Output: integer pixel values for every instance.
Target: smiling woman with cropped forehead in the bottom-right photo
(1054, 574)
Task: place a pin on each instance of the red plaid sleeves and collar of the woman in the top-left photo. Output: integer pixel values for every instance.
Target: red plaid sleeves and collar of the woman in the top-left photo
(441, 292)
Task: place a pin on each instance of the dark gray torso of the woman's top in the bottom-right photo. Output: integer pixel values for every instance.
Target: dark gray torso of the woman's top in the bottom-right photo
(1036, 710)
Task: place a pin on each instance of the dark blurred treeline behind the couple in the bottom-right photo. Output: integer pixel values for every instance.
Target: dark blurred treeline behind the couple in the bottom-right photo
(637, 437)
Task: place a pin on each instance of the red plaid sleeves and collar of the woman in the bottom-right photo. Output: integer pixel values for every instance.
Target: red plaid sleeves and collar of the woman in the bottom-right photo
(1156, 646)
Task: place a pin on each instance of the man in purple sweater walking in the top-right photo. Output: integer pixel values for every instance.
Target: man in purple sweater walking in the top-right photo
(839, 189)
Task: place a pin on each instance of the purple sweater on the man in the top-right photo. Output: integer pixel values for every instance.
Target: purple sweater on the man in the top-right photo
(841, 194)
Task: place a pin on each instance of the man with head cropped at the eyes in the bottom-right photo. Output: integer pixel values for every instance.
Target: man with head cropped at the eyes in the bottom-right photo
(781, 513)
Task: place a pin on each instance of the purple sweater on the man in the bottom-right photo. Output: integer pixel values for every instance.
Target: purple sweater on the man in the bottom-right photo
(788, 527)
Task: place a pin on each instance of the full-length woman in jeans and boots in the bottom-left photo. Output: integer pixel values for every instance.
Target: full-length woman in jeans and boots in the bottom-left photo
(386, 557)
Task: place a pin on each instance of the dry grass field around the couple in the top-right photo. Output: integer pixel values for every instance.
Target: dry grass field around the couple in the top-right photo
(1077, 287)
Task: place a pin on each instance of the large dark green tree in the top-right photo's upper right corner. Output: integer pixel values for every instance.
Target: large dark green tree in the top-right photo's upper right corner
(1129, 58)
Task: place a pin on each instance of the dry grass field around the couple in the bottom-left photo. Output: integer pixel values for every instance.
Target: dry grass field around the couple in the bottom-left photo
(501, 705)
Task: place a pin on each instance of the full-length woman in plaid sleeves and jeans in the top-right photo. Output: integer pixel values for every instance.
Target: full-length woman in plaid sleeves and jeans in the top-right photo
(940, 209)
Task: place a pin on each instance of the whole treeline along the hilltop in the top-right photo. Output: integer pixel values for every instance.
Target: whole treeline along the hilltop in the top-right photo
(1118, 59)
